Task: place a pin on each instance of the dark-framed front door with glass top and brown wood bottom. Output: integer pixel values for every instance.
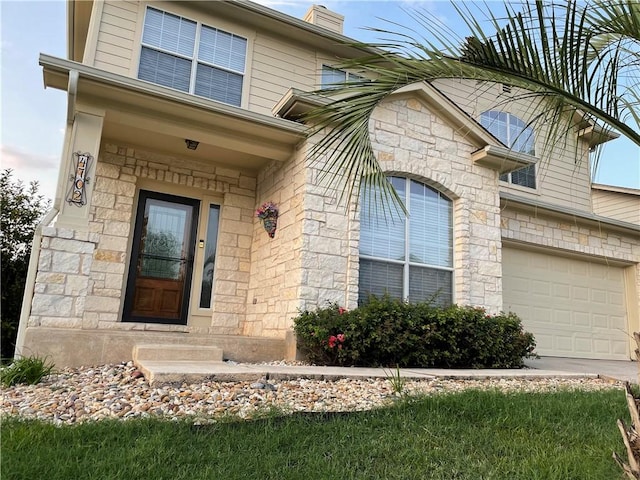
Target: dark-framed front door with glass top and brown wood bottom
(161, 259)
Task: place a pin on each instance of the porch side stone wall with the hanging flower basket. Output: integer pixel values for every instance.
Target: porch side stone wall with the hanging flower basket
(275, 275)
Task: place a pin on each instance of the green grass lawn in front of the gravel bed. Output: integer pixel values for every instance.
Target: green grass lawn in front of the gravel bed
(471, 435)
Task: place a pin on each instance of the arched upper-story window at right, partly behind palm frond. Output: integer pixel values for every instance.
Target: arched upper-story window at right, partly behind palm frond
(515, 134)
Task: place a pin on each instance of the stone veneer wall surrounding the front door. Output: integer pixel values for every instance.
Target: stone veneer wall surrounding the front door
(82, 274)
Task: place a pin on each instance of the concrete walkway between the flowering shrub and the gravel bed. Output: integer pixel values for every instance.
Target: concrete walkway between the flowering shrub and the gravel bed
(192, 372)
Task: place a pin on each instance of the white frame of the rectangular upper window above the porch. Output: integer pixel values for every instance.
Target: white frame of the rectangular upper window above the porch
(195, 61)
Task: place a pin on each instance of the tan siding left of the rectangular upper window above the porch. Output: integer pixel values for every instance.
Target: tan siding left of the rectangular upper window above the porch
(115, 46)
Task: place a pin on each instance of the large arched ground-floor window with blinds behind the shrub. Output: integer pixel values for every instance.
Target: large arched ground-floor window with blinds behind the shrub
(410, 258)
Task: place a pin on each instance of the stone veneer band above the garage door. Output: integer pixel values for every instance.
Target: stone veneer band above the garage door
(543, 230)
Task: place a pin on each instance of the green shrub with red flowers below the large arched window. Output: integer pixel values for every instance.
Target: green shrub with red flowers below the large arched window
(388, 332)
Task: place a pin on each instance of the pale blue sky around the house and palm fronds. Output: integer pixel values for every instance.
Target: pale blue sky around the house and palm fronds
(32, 120)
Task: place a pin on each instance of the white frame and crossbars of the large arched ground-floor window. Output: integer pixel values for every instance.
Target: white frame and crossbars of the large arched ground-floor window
(407, 263)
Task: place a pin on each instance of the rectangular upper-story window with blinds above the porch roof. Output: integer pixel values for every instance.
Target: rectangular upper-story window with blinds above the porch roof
(192, 57)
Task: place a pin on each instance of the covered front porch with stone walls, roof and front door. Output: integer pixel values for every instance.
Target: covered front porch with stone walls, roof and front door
(95, 294)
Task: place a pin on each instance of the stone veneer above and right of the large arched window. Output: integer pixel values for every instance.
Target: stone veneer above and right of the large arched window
(410, 140)
